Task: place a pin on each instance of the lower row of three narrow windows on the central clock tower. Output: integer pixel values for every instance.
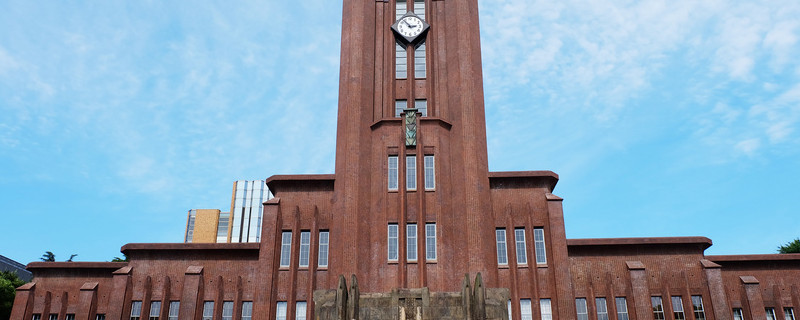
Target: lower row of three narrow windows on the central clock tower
(393, 242)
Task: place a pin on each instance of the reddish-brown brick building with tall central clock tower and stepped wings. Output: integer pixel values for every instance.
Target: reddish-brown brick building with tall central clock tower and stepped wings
(411, 209)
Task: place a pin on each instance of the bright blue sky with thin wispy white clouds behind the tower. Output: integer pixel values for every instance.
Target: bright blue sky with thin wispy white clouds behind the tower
(663, 118)
